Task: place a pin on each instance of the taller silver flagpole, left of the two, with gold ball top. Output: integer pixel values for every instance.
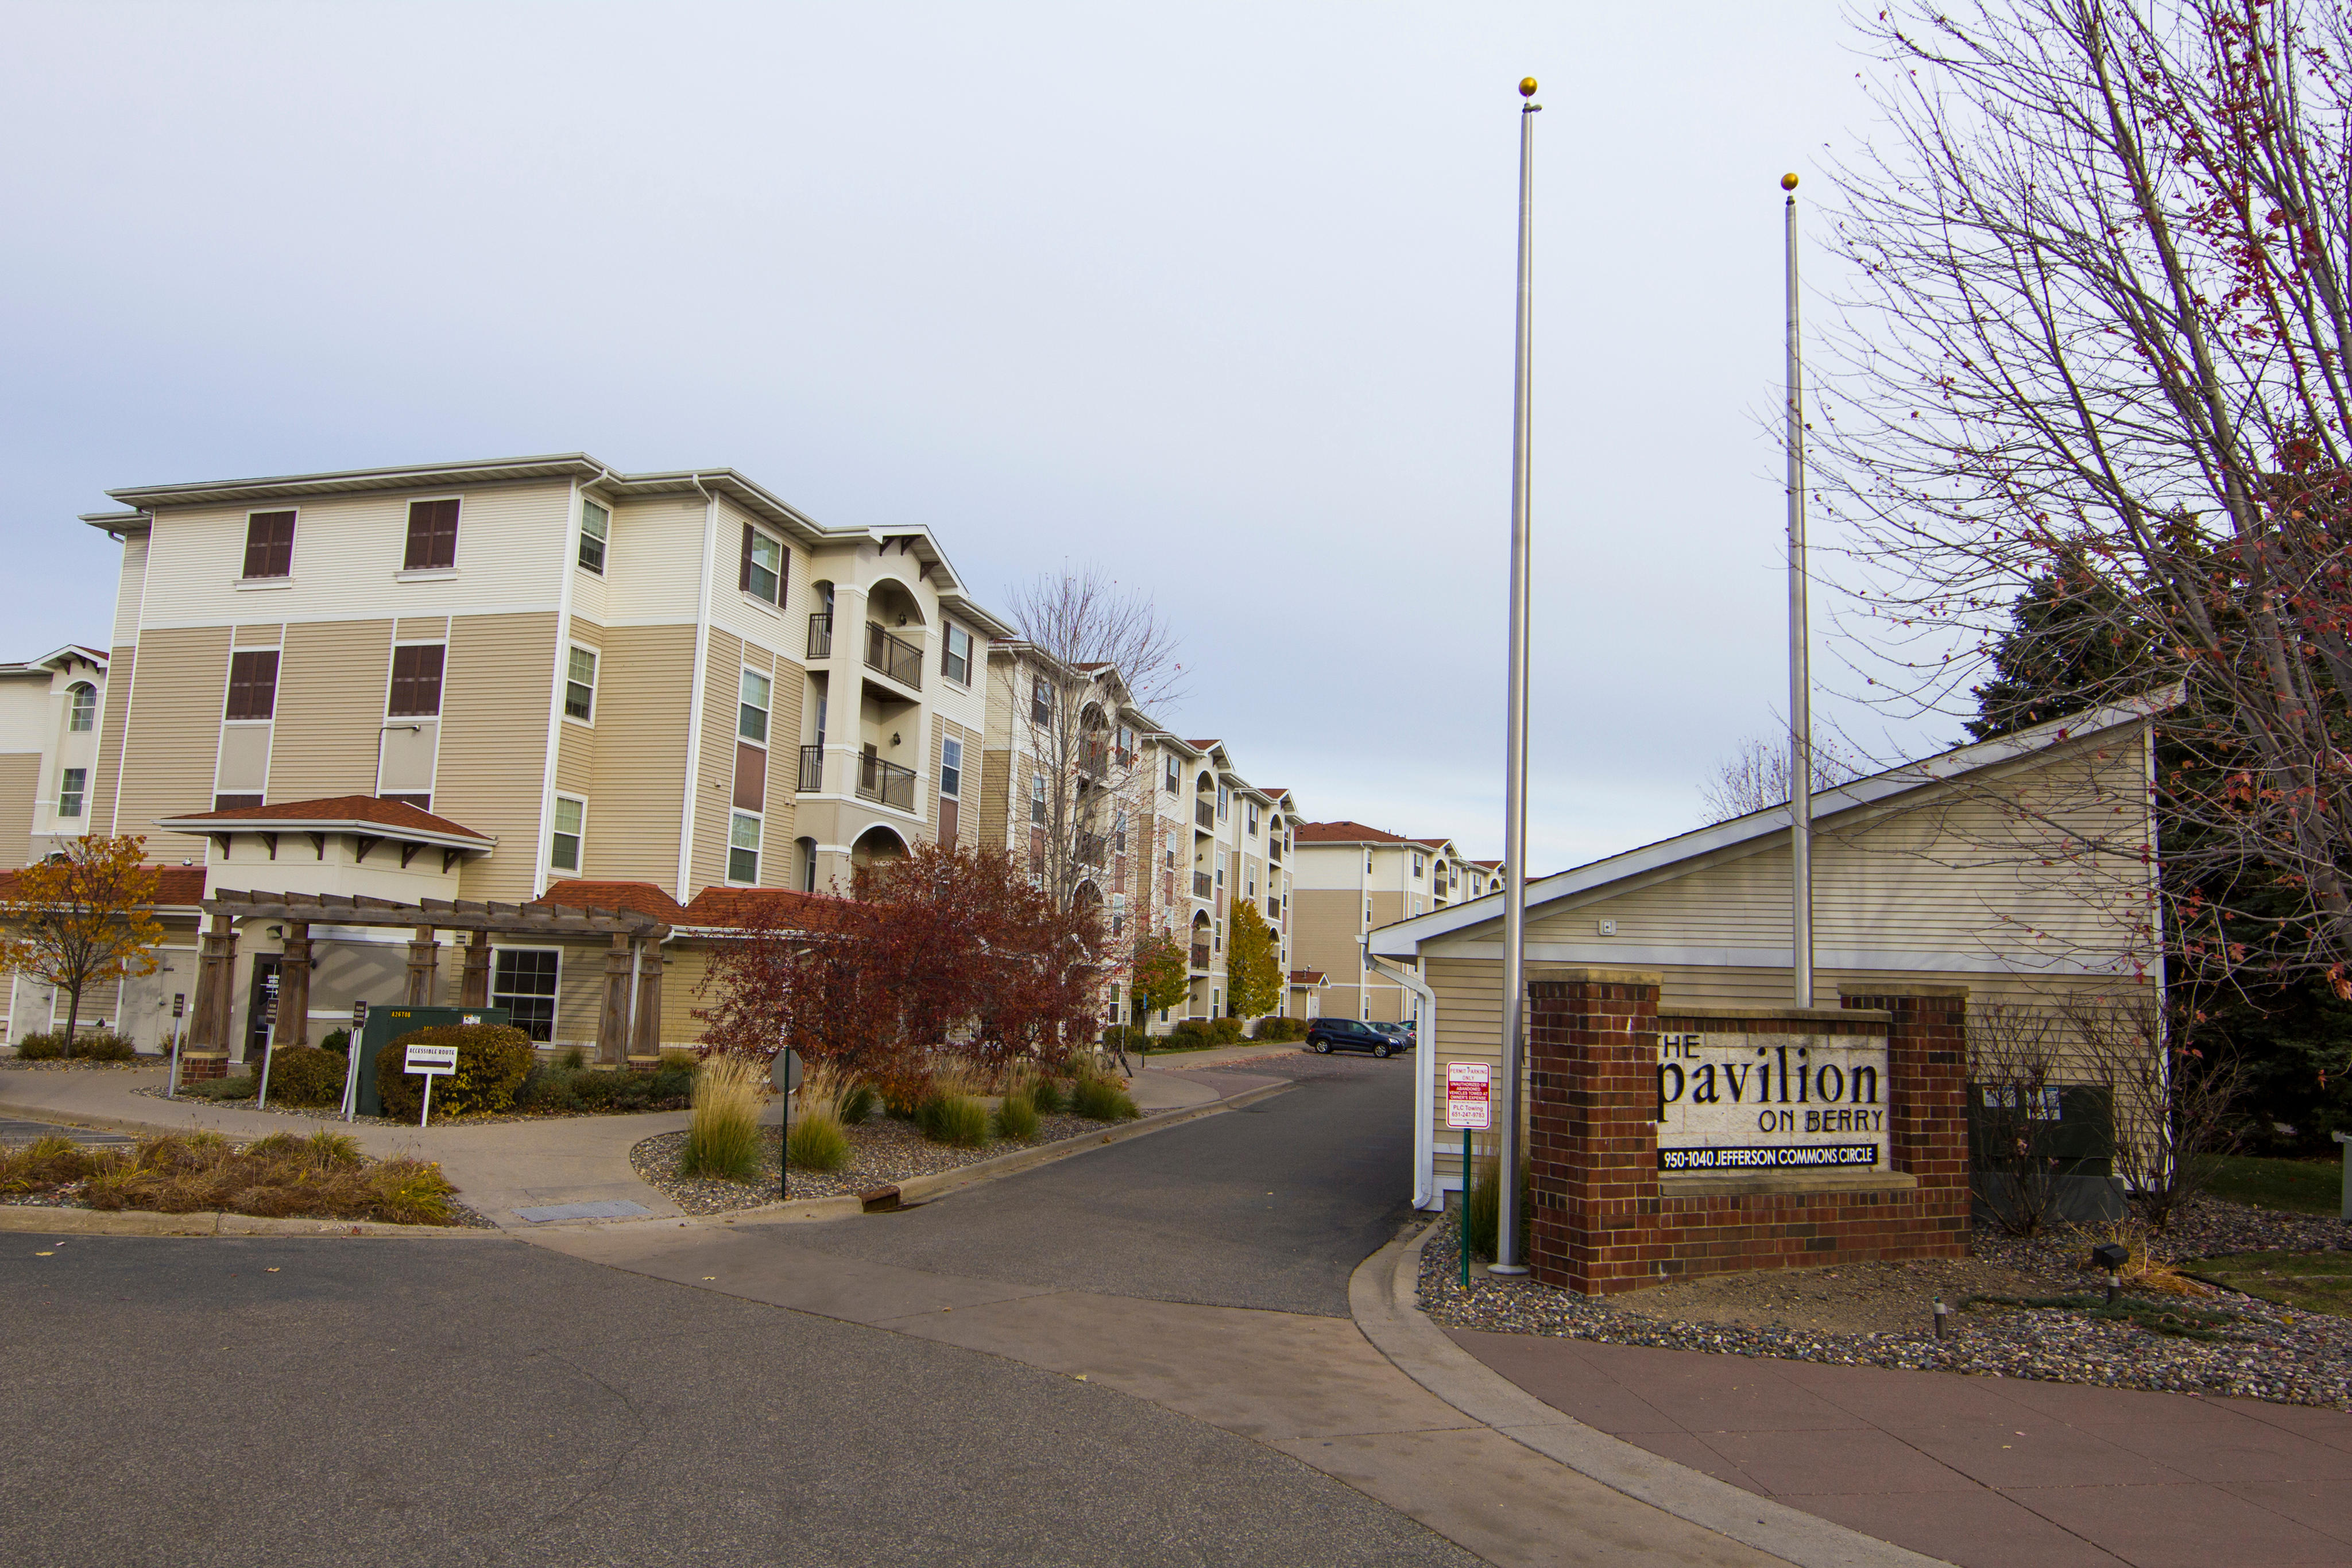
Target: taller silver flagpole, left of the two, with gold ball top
(1506, 1233)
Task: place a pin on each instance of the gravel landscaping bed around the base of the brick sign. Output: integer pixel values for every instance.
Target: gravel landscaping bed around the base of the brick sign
(2257, 1353)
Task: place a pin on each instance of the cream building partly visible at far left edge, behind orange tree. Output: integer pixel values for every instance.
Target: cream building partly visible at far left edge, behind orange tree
(48, 751)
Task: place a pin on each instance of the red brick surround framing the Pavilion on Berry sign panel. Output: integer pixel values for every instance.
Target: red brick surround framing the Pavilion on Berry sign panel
(1603, 1224)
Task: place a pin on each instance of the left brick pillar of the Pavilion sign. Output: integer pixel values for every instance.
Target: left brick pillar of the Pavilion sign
(1593, 1148)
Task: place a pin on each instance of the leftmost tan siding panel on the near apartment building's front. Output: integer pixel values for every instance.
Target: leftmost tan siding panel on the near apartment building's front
(173, 735)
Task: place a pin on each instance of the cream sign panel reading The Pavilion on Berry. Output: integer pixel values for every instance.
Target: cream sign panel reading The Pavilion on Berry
(1772, 1104)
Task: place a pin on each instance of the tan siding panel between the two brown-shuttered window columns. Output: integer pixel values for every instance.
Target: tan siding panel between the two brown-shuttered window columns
(330, 709)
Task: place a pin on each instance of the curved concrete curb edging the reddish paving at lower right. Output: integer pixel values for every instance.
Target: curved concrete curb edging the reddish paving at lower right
(1384, 1299)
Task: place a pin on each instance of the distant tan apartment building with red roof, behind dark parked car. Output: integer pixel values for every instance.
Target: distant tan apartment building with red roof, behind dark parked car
(1354, 880)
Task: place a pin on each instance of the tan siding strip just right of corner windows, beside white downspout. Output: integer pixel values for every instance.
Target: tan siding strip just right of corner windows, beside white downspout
(636, 789)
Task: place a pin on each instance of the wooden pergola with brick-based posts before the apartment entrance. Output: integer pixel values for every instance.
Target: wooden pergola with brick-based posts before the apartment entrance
(632, 965)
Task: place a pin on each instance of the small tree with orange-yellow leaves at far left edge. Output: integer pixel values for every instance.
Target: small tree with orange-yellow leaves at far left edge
(81, 918)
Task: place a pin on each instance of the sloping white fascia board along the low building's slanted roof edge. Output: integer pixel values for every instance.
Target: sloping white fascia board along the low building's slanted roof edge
(1760, 829)
